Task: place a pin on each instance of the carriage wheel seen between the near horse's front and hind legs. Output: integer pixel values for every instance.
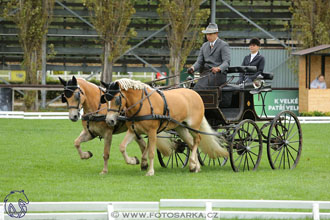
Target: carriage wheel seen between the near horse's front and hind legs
(178, 158)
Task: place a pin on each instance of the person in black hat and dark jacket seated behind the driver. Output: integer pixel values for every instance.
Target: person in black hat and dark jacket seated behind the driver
(253, 59)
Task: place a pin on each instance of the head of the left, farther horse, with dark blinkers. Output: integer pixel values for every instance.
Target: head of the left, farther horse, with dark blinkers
(73, 96)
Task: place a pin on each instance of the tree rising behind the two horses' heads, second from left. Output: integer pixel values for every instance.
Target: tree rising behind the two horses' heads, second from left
(111, 19)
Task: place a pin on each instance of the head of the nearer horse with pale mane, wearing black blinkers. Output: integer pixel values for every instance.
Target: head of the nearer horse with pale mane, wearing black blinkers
(115, 100)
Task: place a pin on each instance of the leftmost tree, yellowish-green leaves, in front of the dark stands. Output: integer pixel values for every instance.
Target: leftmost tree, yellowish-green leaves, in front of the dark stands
(32, 18)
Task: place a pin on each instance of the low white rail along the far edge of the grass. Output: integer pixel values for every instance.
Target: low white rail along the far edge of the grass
(64, 115)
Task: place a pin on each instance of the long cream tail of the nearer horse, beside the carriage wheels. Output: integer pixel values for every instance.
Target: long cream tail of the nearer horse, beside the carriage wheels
(212, 145)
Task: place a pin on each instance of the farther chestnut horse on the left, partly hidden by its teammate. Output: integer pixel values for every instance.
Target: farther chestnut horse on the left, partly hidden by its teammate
(81, 94)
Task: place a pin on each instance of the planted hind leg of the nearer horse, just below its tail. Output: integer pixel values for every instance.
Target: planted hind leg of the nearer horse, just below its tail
(191, 141)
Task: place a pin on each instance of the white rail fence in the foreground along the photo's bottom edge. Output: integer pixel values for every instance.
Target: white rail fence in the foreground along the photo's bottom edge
(176, 209)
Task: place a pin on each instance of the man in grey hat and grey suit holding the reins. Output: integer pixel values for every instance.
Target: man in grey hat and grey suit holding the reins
(213, 60)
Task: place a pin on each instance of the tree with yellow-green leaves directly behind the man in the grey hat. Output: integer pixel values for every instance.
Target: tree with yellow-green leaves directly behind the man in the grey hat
(184, 32)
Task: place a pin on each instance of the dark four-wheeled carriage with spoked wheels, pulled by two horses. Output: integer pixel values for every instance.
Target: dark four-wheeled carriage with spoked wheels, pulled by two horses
(237, 120)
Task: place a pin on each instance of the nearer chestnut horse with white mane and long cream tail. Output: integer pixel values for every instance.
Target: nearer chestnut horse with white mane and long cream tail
(149, 111)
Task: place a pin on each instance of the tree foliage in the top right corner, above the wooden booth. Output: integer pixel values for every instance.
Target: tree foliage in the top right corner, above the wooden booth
(310, 22)
